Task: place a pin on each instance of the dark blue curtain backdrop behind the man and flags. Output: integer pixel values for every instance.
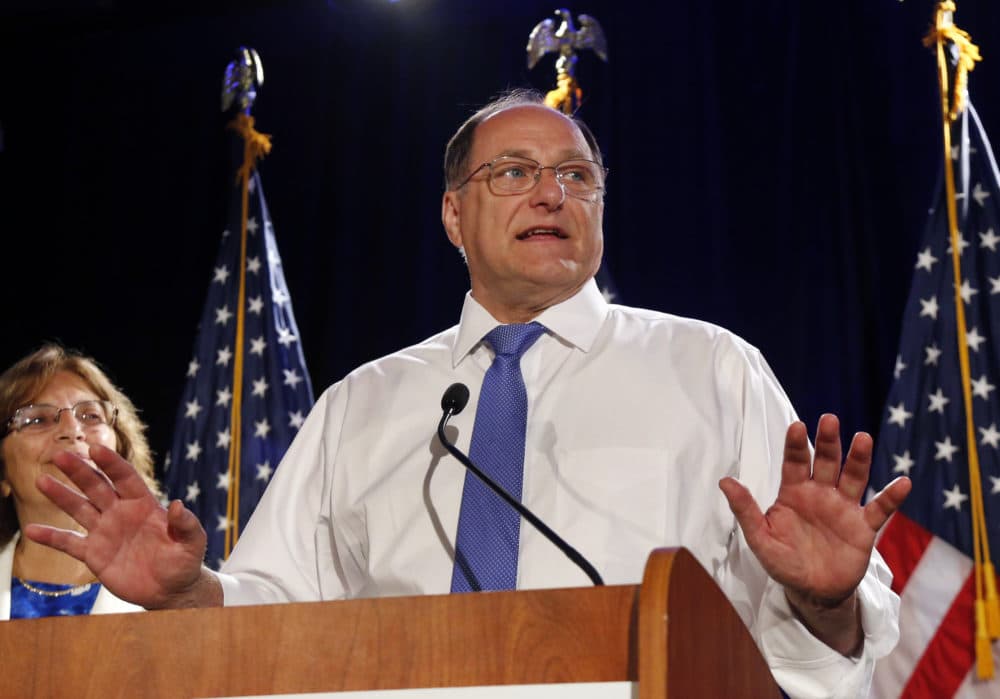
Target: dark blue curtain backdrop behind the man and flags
(771, 167)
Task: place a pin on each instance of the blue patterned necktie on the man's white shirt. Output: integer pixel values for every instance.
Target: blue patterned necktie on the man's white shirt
(488, 528)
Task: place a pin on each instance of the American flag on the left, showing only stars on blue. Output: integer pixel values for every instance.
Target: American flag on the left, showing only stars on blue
(276, 393)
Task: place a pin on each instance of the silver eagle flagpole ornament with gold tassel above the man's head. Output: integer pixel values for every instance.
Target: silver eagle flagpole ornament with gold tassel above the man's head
(566, 39)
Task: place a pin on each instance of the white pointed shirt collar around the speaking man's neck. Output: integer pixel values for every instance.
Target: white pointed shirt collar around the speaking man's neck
(576, 321)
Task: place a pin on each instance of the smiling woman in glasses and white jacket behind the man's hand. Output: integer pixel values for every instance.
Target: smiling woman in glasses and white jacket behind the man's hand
(56, 400)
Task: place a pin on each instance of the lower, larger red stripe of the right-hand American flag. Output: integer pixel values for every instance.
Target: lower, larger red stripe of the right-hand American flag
(950, 654)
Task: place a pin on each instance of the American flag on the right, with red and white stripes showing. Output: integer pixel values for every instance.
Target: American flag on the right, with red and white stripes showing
(928, 544)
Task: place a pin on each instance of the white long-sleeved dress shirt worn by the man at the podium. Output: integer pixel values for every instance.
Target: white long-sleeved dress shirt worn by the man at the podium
(633, 418)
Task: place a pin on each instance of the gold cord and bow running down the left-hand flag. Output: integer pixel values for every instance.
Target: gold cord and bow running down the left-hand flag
(255, 146)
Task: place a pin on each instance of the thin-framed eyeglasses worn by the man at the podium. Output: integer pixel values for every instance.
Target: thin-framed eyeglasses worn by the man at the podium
(583, 179)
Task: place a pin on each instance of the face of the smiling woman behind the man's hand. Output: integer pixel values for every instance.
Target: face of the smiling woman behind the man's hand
(28, 453)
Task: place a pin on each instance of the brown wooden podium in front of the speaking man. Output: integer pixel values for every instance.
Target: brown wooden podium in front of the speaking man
(676, 635)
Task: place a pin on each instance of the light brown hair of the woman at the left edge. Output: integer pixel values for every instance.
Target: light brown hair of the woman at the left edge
(26, 379)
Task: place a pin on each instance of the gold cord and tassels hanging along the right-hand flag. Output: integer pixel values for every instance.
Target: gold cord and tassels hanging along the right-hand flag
(987, 610)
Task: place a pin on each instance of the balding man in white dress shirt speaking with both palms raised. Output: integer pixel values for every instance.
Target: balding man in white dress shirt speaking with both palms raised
(644, 430)
